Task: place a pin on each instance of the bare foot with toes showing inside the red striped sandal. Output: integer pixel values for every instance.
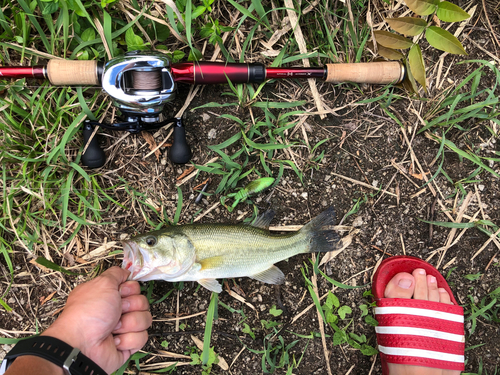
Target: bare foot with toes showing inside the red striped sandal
(417, 285)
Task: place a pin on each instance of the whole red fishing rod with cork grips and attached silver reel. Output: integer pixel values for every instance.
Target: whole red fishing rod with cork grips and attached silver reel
(142, 82)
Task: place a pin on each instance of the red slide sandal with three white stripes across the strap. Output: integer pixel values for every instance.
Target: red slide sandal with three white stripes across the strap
(417, 332)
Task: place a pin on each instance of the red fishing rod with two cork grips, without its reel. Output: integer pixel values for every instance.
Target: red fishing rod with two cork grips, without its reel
(77, 72)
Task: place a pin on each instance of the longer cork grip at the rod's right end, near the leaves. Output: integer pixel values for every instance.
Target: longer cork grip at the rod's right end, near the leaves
(383, 72)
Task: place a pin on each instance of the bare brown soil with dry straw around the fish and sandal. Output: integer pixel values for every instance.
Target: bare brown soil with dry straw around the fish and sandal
(367, 147)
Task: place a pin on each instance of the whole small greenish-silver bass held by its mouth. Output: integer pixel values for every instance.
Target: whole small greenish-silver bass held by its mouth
(207, 252)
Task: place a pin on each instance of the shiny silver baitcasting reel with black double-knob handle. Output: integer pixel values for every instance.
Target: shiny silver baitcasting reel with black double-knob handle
(140, 85)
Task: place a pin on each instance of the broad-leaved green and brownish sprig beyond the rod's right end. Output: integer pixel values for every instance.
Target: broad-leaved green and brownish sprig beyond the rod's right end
(389, 43)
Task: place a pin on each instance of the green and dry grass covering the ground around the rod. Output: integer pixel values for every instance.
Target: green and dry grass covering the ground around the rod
(52, 208)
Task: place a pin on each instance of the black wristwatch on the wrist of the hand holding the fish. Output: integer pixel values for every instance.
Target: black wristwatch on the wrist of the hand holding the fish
(70, 359)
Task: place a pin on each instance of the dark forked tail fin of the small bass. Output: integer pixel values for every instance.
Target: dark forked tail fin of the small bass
(322, 236)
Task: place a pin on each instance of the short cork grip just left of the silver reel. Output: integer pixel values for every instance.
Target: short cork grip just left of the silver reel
(72, 72)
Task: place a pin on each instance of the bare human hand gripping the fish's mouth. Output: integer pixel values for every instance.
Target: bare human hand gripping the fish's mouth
(106, 318)
